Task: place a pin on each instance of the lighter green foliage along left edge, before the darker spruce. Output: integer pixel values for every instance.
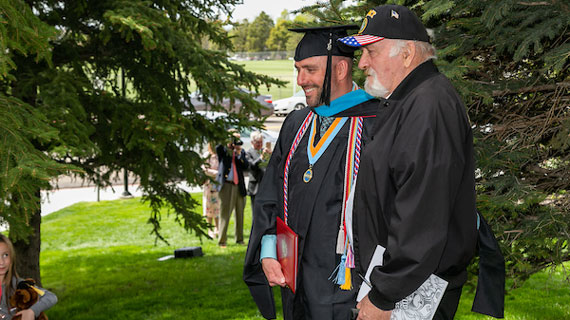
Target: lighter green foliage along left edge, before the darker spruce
(23, 168)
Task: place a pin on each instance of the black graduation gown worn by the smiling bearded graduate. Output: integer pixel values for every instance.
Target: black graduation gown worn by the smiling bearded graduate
(314, 214)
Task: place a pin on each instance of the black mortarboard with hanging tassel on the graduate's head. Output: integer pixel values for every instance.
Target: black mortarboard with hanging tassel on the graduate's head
(322, 41)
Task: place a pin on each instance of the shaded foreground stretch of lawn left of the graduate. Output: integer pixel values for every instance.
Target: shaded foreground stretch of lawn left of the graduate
(129, 282)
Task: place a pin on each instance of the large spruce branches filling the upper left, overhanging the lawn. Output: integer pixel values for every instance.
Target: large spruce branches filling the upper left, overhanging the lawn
(106, 90)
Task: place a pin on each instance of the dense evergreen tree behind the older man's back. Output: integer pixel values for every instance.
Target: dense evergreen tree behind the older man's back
(512, 58)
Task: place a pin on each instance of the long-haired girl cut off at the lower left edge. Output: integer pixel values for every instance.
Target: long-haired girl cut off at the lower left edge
(10, 280)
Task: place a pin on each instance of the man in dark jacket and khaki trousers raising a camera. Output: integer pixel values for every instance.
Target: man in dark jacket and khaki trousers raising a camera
(231, 186)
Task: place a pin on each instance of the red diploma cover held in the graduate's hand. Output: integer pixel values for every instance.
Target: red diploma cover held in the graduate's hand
(287, 246)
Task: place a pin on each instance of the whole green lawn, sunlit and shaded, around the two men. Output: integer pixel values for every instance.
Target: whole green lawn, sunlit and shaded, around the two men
(101, 261)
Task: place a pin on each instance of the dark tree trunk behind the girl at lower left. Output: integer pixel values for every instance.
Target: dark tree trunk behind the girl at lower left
(28, 254)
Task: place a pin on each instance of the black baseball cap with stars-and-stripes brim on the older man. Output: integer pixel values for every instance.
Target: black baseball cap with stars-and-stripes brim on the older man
(388, 22)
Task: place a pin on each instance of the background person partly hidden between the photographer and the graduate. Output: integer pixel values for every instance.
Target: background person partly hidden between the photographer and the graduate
(258, 157)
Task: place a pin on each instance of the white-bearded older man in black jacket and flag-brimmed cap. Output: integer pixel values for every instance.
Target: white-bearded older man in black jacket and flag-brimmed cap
(415, 195)
